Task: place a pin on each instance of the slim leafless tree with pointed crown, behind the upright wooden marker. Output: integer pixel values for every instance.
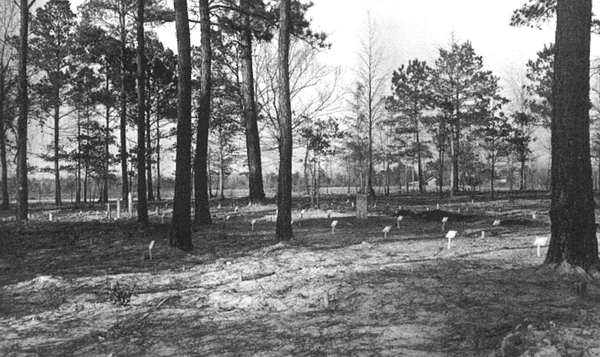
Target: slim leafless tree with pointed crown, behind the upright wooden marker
(372, 76)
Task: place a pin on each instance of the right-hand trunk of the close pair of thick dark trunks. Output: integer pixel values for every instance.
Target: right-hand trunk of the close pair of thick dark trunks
(202, 204)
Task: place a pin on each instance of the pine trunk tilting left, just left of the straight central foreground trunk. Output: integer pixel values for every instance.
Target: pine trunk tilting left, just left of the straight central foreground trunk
(257, 192)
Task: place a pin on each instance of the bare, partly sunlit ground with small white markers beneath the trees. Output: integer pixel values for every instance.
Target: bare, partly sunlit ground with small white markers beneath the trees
(84, 285)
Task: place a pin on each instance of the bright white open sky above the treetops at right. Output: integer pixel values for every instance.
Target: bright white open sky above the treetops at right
(416, 29)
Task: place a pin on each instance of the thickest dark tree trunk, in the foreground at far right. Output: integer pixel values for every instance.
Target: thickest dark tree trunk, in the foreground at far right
(573, 228)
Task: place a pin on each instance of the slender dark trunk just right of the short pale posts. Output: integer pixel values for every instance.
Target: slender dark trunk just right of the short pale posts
(142, 207)
